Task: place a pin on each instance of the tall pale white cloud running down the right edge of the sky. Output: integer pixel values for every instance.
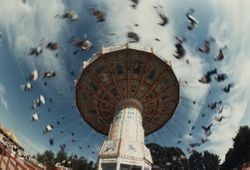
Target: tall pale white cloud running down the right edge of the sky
(231, 27)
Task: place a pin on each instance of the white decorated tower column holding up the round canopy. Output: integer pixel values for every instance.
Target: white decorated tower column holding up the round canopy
(125, 148)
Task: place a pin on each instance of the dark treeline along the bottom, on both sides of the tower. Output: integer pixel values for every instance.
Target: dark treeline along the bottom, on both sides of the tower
(168, 158)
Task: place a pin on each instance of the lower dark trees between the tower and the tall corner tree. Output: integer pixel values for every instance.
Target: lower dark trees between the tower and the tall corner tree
(174, 159)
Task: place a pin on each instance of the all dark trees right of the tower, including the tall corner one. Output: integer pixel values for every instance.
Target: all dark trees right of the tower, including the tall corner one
(172, 158)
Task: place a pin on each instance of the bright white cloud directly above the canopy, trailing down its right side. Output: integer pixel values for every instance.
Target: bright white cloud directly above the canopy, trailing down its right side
(121, 20)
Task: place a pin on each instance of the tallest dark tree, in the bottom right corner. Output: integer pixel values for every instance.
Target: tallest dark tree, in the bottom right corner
(240, 153)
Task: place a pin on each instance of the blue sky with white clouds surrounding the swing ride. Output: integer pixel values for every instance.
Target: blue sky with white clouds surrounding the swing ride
(24, 25)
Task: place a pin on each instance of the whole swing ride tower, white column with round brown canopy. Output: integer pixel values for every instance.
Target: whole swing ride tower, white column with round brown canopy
(126, 93)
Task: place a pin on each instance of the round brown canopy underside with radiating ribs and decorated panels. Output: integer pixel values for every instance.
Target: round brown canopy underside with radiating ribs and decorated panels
(115, 75)
